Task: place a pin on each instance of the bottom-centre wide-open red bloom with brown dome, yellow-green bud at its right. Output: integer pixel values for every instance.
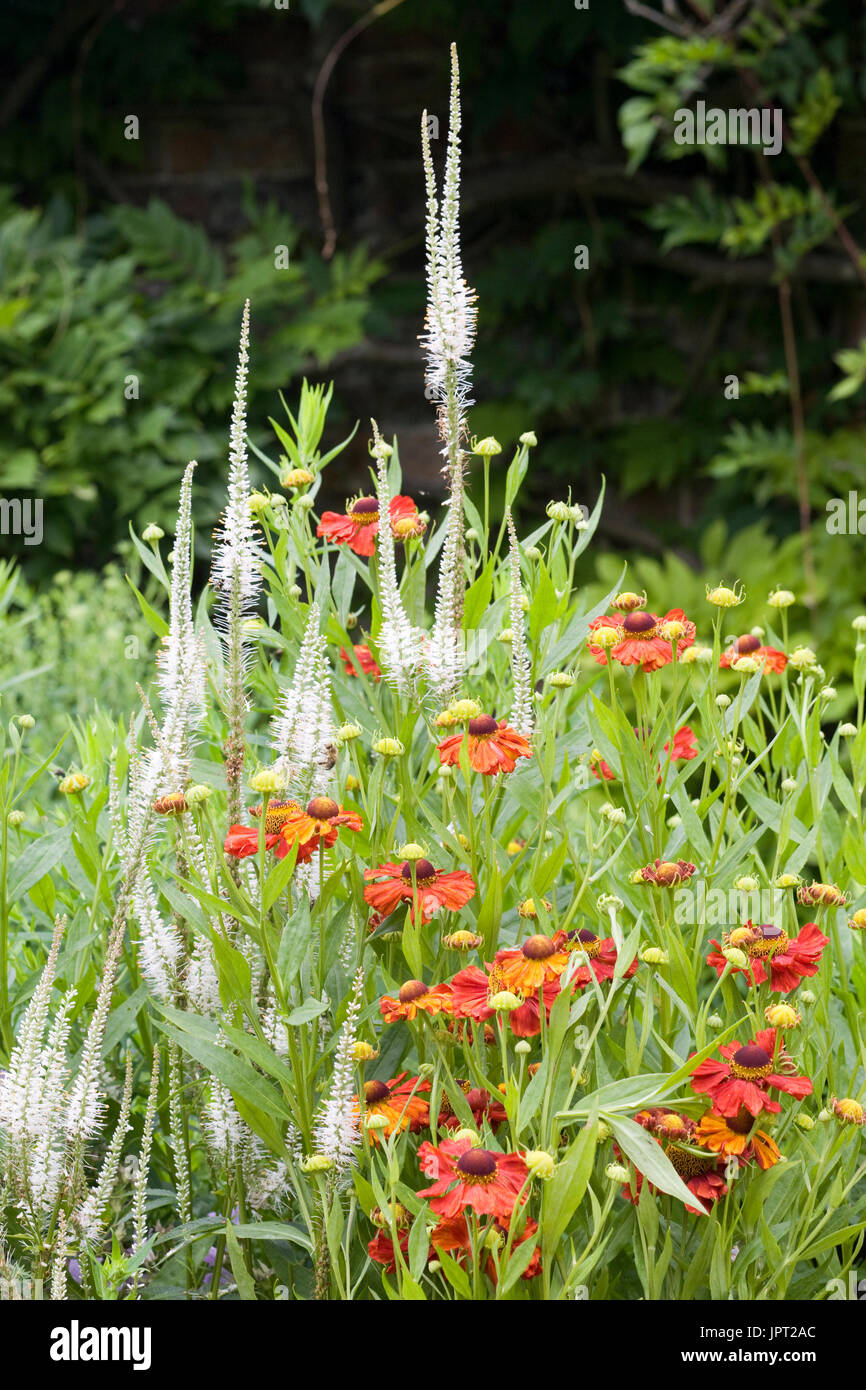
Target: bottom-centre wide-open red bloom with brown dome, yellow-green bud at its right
(465, 1177)
